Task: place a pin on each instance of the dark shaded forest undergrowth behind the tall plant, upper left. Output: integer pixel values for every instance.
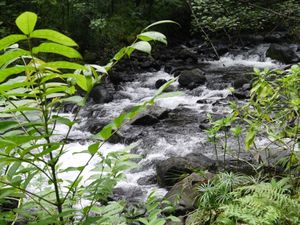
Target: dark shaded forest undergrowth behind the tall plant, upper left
(101, 27)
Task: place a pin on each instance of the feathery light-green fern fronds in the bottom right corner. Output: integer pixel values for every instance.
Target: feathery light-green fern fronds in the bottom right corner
(265, 203)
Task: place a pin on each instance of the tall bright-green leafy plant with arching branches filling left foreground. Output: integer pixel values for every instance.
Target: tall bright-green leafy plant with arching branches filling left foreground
(32, 89)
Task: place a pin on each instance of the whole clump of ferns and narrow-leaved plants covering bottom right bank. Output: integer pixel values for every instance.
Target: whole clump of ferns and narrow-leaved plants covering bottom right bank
(234, 199)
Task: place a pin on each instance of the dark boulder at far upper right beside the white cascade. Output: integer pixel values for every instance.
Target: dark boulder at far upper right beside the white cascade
(282, 53)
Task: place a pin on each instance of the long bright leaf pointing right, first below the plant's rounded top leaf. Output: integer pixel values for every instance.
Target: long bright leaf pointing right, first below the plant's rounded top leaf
(54, 36)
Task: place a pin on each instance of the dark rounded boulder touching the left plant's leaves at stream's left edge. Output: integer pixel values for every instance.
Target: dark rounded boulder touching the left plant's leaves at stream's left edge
(102, 93)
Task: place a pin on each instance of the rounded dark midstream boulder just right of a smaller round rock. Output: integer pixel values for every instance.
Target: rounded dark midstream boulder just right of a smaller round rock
(192, 78)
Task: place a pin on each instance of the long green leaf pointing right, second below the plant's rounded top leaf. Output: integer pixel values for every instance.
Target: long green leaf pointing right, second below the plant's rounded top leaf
(57, 49)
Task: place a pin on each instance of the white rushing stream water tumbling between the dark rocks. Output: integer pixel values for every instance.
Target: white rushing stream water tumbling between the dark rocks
(179, 134)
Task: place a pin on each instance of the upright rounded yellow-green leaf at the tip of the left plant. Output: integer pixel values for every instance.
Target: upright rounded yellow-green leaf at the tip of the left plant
(26, 22)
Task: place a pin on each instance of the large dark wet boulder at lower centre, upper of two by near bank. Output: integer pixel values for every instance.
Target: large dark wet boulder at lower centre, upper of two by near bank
(170, 171)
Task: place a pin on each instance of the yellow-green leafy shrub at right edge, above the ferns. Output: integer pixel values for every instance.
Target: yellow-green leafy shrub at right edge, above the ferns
(273, 110)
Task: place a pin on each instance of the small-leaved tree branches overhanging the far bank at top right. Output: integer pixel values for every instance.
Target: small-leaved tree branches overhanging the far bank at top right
(233, 16)
